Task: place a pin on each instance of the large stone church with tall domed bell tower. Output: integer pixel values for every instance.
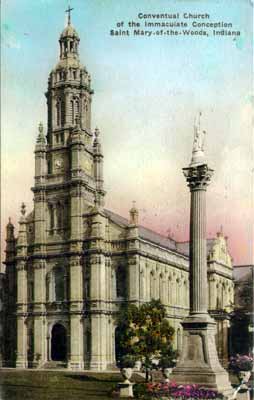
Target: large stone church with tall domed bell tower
(73, 263)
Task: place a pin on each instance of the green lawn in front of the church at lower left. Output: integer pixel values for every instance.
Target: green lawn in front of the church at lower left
(55, 385)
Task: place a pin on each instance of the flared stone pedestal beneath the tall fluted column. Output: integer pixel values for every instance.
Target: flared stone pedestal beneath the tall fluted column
(199, 361)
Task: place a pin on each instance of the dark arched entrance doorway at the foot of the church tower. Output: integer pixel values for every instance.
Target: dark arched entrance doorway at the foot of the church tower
(58, 343)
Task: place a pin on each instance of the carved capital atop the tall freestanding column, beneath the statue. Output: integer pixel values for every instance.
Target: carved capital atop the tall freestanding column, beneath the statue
(198, 177)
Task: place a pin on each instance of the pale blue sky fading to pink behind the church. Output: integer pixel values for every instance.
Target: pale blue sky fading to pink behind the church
(147, 92)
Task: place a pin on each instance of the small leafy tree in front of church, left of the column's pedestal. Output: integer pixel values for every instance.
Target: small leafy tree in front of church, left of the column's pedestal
(145, 334)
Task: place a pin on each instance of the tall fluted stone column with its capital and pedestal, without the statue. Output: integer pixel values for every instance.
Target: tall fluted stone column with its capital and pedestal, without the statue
(199, 361)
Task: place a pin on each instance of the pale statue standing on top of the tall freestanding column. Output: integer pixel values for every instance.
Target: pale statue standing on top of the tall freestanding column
(198, 155)
